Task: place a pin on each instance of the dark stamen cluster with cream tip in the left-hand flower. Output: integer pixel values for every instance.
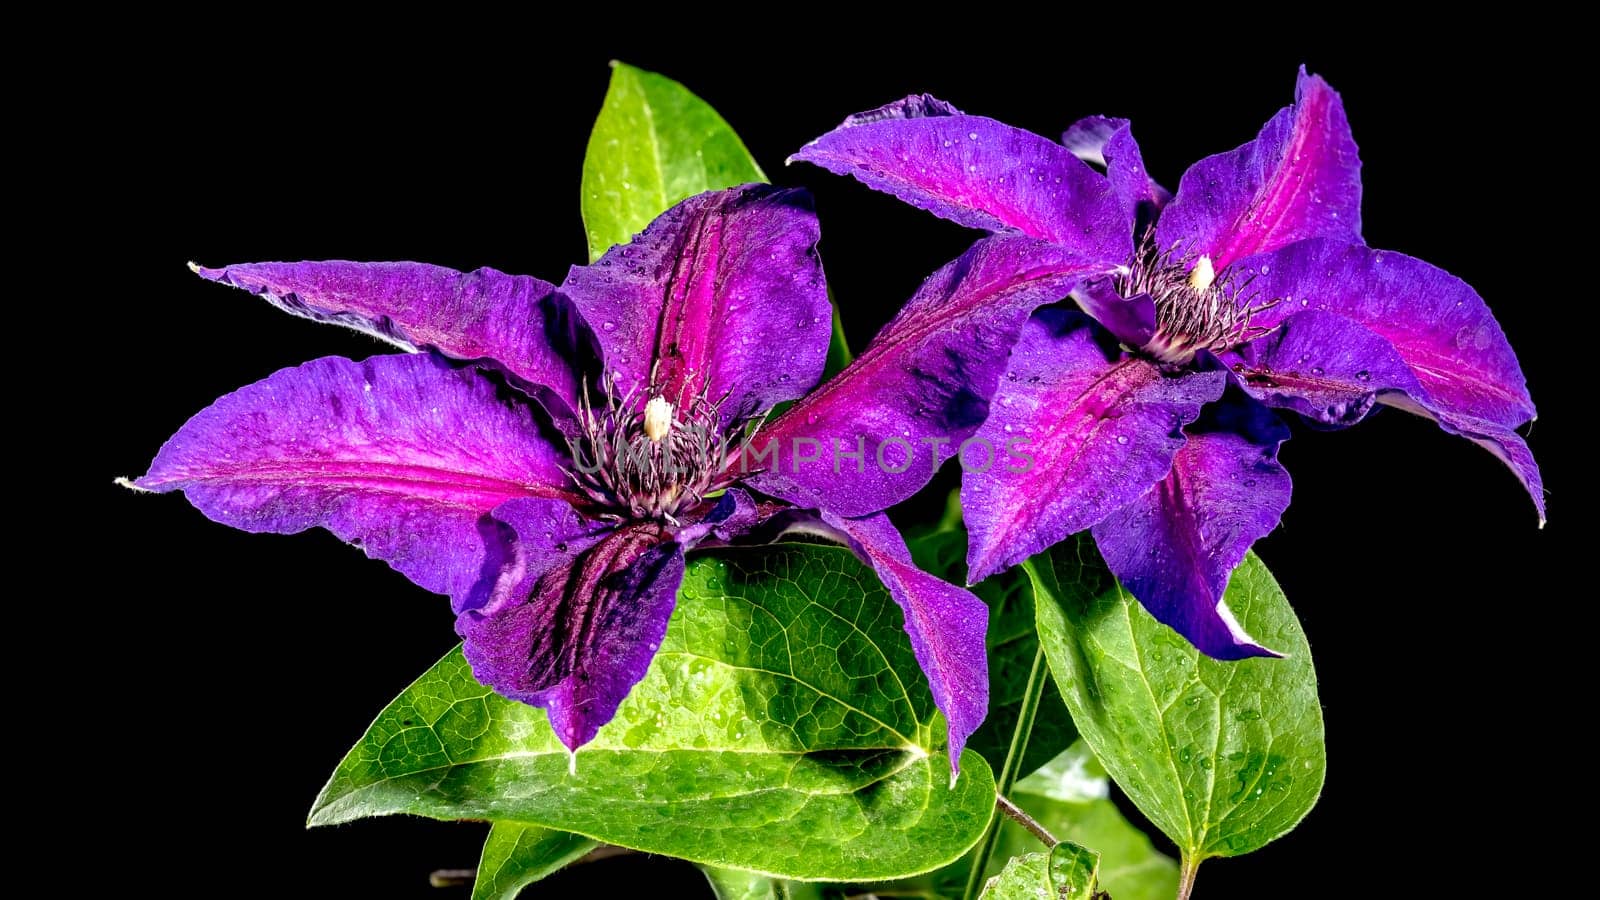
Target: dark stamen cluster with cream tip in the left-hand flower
(650, 460)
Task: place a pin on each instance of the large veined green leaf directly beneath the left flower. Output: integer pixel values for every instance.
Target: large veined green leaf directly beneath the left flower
(783, 728)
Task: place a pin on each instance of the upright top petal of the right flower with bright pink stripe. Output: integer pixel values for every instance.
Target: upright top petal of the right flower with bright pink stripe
(1300, 179)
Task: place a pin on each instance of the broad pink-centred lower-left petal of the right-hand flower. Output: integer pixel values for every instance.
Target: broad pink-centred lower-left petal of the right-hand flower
(1081, 430)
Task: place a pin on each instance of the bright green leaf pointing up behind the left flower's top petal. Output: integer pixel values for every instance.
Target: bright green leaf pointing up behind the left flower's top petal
(654, 145)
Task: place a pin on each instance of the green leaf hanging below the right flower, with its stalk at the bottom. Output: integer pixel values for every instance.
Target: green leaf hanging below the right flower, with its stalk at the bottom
(1220, 757)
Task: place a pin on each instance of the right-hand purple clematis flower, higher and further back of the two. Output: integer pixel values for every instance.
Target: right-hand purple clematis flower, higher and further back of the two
(1150, 408)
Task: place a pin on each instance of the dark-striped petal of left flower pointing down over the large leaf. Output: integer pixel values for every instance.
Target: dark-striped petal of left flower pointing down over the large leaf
(583, 638)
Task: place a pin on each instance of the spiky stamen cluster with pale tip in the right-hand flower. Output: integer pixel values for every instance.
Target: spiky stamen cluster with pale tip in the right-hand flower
(1196, 307)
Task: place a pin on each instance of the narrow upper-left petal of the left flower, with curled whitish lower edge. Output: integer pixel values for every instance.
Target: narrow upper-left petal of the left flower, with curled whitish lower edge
(514, 321)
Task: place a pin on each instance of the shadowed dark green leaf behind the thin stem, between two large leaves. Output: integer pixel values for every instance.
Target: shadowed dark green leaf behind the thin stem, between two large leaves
(1012, 645)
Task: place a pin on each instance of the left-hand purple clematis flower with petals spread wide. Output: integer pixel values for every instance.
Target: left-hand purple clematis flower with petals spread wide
(551, 454)
